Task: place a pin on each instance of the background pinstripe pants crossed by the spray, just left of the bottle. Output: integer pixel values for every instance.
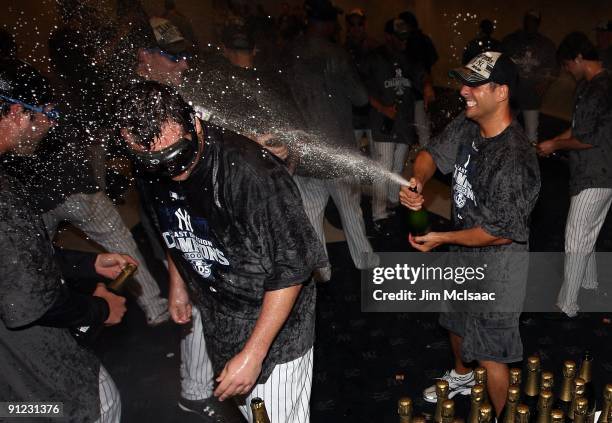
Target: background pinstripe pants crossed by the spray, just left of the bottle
(391, 156)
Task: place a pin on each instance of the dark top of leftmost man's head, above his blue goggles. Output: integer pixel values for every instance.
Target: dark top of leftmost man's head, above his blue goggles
(21, 84)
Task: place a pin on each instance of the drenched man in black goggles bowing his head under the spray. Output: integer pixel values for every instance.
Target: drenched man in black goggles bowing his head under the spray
(240, 248)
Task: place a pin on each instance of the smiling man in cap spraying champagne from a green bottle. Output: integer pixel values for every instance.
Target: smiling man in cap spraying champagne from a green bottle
(495, 186)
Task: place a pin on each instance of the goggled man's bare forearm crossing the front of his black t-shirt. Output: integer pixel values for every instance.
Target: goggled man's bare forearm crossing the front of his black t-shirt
(277, 306)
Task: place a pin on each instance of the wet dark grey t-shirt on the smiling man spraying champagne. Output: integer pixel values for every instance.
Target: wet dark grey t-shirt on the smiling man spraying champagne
(496, 180)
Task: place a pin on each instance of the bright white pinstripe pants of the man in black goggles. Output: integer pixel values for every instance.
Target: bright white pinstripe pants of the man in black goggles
(286, 393)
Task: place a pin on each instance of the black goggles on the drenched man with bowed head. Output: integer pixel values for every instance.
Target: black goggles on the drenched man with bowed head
(171, 161)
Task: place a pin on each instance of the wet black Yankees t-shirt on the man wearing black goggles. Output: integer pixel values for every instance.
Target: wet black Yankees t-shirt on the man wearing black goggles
(237, 229)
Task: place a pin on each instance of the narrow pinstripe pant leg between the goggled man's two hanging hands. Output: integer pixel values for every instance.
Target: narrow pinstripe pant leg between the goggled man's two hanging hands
(196, 368)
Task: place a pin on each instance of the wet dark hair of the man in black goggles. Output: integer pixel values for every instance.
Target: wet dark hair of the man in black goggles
(144, 107)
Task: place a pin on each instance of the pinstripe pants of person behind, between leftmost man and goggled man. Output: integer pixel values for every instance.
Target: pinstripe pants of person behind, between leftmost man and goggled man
(96, 215)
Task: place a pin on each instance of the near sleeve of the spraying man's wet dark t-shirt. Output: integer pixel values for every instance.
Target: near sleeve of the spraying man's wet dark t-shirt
(506, 206)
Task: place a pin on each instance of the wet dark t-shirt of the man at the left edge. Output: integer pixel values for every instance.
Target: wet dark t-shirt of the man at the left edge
(37, 363)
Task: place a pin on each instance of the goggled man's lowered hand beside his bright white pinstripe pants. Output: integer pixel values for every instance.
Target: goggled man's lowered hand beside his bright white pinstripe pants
(238, 376)
